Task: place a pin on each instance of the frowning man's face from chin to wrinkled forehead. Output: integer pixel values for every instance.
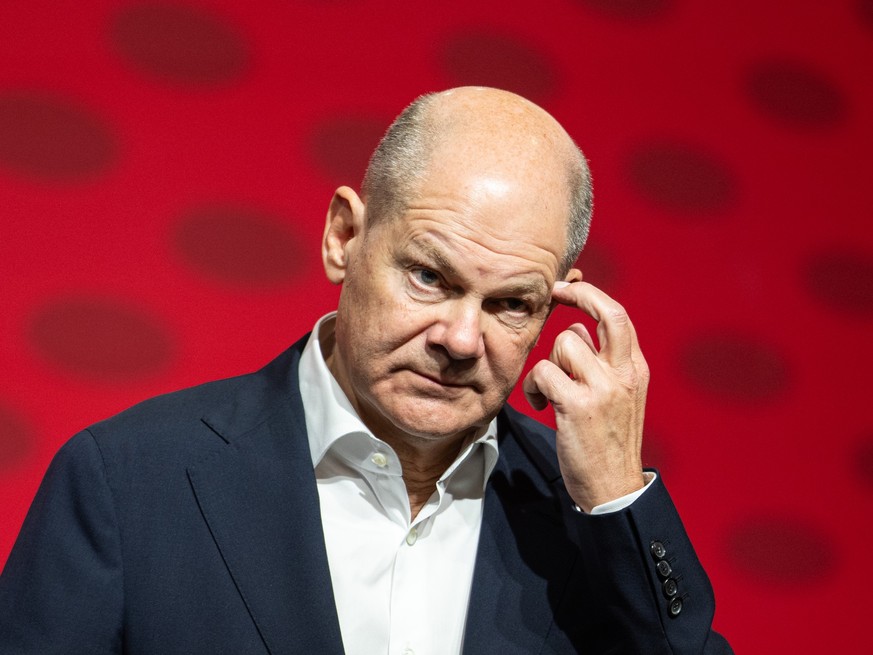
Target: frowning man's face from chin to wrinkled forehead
(441, 306)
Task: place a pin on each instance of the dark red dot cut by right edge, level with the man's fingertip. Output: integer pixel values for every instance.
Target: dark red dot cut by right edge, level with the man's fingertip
(842, 281)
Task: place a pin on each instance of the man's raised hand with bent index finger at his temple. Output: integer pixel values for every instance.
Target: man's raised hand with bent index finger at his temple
(599, 398)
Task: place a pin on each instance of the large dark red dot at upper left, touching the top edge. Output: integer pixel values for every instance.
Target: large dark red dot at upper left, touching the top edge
(180, 43)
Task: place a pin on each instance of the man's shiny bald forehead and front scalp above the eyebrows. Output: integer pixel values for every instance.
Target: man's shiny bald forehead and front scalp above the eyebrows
(494, 191)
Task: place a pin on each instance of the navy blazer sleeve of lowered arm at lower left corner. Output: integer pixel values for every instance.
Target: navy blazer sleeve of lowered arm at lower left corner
(61, 590)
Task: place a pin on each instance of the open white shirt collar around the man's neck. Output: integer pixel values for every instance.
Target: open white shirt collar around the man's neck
(330, 416)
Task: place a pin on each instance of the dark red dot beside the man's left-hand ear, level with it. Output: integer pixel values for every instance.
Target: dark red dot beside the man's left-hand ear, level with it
(240, 245)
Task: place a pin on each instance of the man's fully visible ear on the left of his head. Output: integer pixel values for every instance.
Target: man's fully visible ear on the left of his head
(344, 224)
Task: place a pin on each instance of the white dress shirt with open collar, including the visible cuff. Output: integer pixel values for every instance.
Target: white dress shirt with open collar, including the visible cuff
(401, 585)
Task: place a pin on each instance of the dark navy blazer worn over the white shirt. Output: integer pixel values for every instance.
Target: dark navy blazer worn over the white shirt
(190, 524)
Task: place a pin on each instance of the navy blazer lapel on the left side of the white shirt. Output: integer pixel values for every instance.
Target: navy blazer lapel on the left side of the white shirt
(258, 495)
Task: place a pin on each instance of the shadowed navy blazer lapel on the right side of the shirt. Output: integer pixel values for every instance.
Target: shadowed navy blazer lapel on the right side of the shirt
(524, 558)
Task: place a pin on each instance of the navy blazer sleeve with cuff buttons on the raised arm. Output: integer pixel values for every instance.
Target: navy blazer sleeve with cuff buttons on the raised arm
(653, 595)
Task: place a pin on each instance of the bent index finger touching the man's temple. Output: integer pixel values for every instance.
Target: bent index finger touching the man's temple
(614, 329)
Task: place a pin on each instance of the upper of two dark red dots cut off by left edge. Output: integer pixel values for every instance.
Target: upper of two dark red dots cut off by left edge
(52, 138)
